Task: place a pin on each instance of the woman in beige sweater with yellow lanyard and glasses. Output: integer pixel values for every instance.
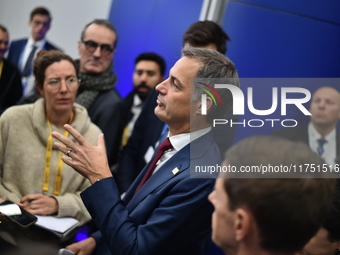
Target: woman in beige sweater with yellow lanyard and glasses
(32, 173)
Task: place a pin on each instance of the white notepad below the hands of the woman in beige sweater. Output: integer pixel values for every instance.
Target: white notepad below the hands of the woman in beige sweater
(59, 226)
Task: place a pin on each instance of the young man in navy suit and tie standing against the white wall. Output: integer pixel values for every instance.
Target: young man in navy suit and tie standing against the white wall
(22, 52)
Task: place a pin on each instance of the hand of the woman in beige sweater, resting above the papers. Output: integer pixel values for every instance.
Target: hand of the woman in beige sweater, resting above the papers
(39, 204)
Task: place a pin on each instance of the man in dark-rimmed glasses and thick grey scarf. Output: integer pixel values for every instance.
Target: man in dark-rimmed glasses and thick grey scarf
(96, 92)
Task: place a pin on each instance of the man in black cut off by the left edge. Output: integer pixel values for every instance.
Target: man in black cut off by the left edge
(10, 79)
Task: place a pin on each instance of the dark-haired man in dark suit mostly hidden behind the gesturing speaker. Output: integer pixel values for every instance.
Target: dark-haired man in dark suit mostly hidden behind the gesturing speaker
(148, 128)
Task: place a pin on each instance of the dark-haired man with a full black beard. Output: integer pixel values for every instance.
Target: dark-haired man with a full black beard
(149, 71)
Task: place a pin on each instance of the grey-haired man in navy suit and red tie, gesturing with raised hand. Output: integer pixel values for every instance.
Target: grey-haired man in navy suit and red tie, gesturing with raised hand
(168, 213)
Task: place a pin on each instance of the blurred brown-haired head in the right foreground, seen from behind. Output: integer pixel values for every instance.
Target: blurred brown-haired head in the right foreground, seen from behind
(268, 215)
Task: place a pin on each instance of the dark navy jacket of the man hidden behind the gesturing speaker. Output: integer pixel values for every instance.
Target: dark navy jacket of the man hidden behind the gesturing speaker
(147, 131)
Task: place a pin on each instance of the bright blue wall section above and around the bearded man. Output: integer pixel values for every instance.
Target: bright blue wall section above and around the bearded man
(152, 25)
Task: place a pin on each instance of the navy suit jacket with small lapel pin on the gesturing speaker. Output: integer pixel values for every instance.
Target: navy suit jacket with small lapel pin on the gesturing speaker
(169, 215)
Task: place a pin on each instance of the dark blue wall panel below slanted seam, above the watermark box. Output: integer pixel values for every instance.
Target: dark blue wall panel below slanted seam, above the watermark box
(267, 43)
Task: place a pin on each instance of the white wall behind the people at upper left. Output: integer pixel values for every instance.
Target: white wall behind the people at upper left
(68, 19)
